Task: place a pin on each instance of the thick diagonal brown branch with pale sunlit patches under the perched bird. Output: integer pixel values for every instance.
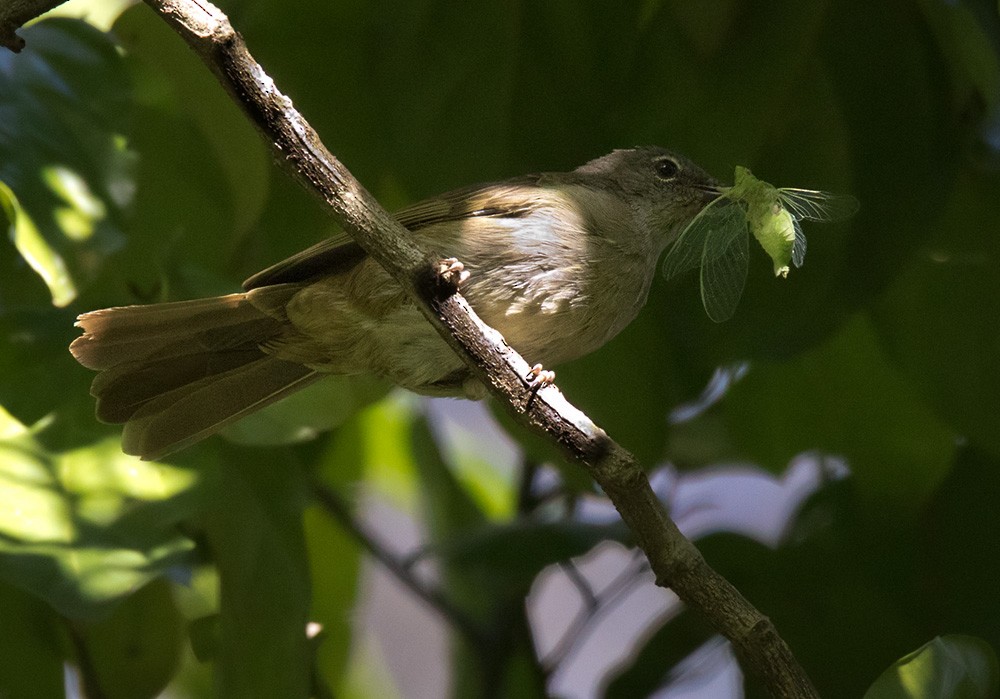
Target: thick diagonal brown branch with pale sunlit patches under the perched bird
(675, 561)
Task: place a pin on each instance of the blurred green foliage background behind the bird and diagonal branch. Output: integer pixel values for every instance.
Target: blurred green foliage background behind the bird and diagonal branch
(834, 447)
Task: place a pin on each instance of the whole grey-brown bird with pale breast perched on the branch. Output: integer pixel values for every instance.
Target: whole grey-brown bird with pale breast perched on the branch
(559, 263)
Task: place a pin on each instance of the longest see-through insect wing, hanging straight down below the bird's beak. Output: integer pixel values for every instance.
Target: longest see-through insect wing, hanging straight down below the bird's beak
(724, 263)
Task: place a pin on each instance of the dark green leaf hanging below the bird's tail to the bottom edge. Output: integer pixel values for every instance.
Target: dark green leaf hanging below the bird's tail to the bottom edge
(254, 528)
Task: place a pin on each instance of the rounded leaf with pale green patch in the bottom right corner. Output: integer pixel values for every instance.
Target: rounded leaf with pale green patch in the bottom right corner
(948, 667)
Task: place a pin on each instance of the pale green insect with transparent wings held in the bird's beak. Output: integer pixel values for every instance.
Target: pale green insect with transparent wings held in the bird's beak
(716, 239)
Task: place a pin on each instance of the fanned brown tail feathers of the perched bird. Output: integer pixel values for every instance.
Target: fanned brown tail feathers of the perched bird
(176, 373)
